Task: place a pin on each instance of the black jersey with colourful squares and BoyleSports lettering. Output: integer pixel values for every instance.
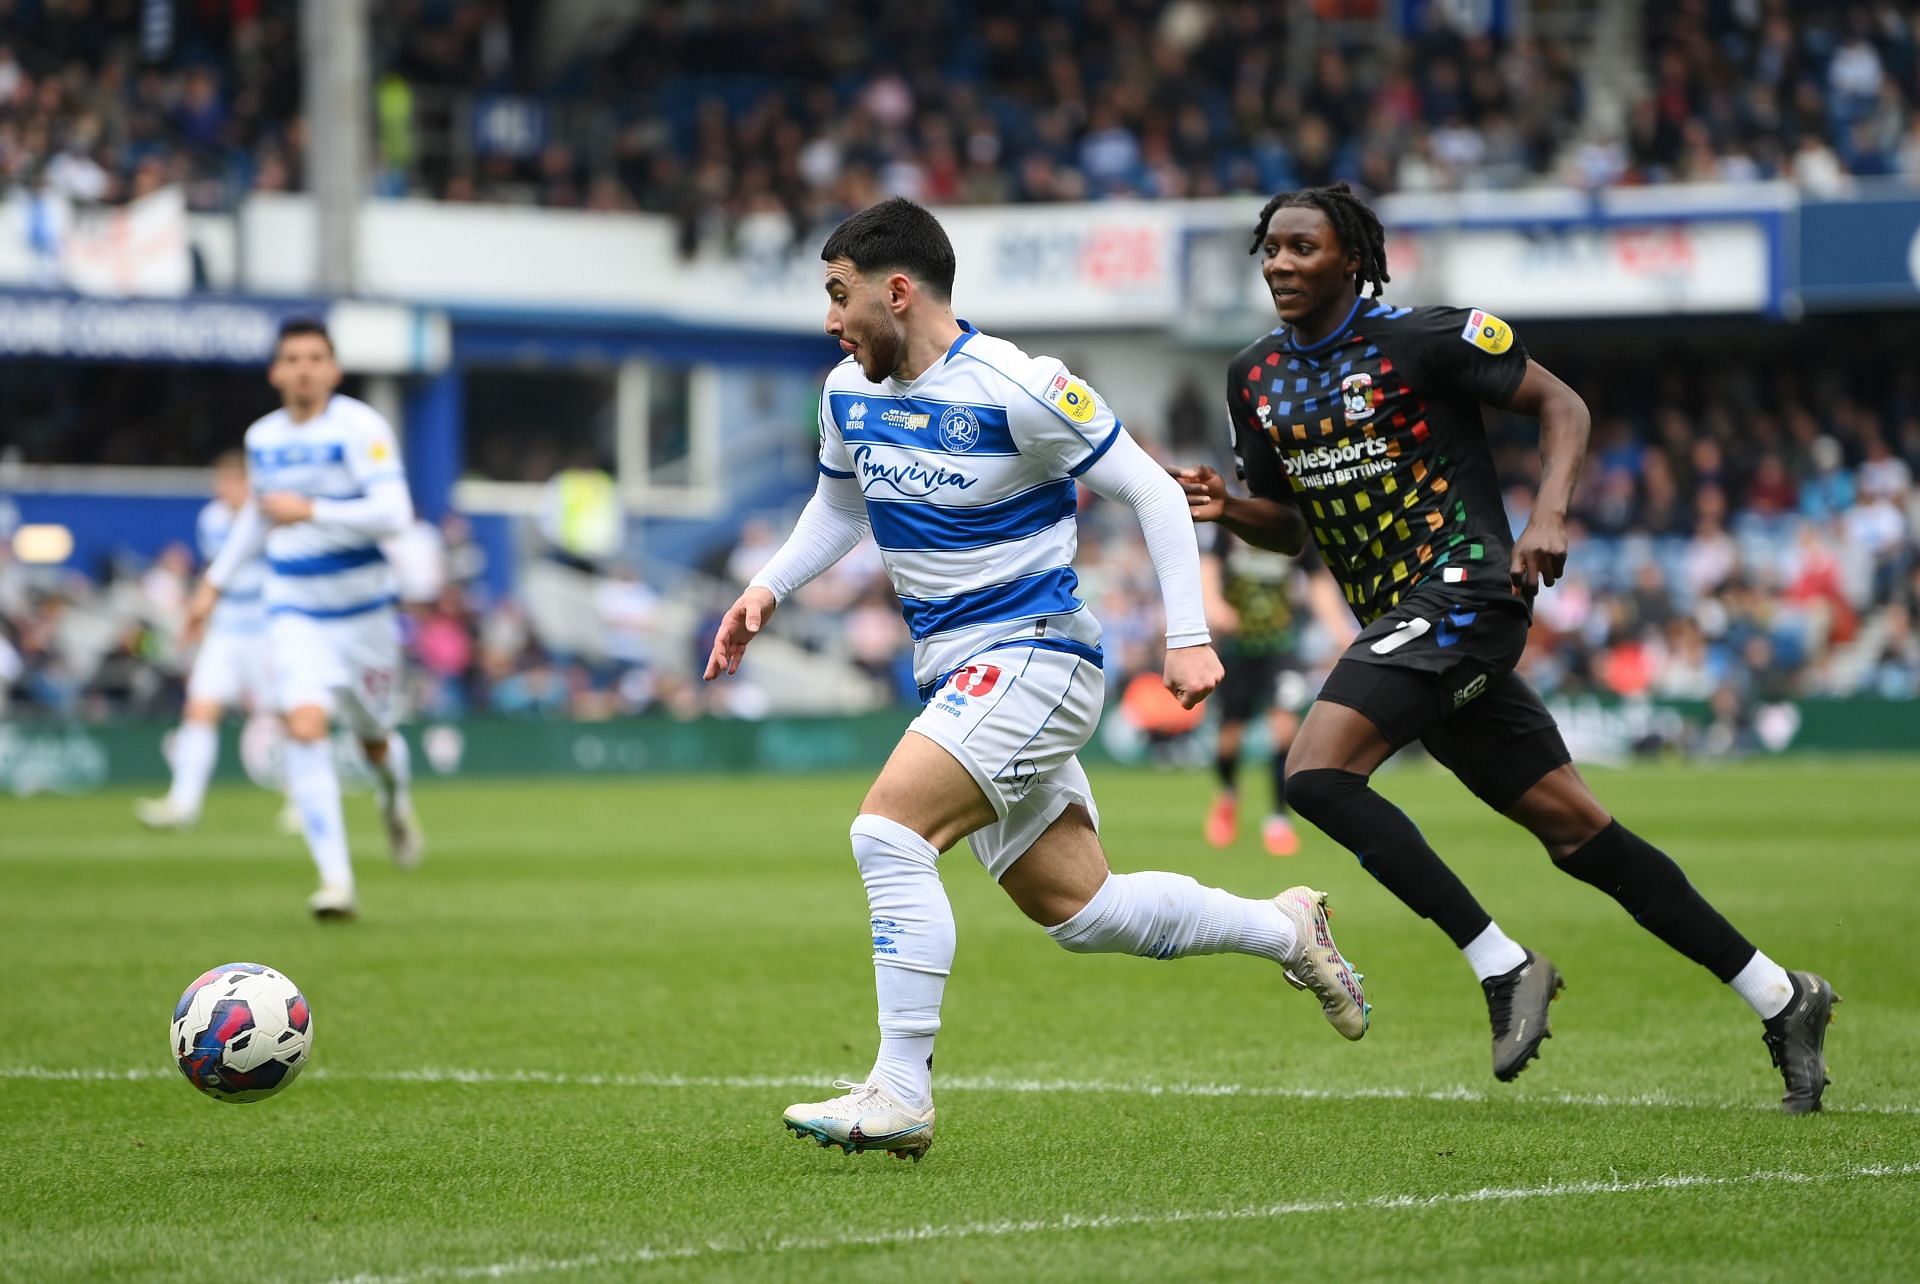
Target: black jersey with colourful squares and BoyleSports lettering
(1376, 435)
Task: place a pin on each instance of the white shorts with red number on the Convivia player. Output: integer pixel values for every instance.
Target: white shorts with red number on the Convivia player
(1015, 719)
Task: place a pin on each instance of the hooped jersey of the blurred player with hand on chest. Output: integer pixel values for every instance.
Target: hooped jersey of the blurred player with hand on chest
(320, 569)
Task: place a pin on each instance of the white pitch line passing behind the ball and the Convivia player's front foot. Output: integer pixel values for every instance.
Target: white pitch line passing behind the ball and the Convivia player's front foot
(972, 1083)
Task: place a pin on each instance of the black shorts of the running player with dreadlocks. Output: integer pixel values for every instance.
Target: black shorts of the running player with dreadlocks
(1439, 671)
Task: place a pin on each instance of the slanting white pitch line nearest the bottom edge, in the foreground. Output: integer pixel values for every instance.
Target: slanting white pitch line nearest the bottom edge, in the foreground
(1118, 1222)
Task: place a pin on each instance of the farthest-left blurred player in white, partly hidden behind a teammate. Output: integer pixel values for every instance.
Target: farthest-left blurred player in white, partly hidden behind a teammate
(231, 669)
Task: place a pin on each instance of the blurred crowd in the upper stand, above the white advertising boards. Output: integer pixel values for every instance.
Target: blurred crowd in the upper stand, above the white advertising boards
(811, 108)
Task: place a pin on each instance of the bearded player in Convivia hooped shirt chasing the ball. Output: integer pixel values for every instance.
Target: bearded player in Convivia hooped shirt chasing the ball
(961, 454)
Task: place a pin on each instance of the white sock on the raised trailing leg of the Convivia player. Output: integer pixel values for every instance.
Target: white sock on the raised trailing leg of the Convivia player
(1170, 916)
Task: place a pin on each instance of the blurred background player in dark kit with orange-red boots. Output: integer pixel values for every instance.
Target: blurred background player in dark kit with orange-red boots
(1251, 598)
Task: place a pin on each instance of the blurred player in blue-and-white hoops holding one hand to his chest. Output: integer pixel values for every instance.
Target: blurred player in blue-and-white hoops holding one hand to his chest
(329, 487)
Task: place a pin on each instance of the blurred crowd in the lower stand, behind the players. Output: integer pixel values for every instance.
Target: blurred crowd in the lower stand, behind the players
(1739, 544)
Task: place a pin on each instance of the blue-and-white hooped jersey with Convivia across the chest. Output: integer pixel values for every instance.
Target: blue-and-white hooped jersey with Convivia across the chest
(969, 483)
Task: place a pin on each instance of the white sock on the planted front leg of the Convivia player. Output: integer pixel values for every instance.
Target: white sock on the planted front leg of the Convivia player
(913, 951)
